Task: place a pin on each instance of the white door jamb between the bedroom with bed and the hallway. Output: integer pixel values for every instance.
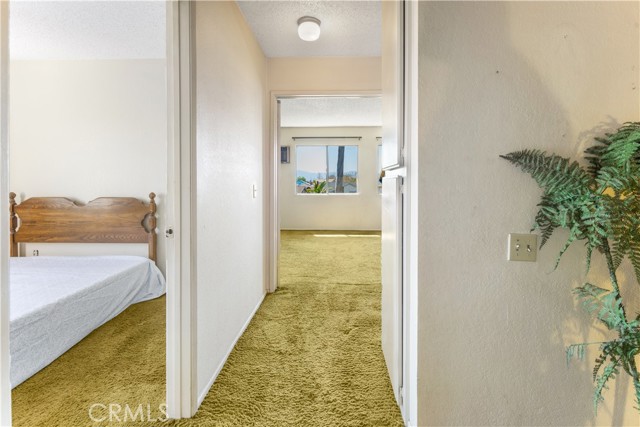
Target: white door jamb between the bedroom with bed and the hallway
(181, 351)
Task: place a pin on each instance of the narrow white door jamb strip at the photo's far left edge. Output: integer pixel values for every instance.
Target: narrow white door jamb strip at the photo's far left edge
(5, 386)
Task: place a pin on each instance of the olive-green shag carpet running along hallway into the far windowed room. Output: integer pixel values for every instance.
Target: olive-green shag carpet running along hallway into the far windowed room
(311, 356)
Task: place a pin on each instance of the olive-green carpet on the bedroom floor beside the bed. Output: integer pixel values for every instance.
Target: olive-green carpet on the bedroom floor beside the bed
(122, 362)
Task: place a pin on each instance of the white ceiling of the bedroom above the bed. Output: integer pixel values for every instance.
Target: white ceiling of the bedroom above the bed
(86, 29)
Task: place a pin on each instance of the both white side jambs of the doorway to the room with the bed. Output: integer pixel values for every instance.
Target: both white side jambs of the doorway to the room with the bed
(181, 392)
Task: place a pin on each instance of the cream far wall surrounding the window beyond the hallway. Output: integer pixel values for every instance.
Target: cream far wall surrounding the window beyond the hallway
(359, 211)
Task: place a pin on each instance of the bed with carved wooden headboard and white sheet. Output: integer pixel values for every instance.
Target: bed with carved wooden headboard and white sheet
(58, 300)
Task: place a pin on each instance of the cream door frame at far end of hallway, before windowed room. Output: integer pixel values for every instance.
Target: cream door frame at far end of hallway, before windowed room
(273, 238)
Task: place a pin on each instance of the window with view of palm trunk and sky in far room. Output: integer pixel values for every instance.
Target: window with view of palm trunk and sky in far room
(326, 169)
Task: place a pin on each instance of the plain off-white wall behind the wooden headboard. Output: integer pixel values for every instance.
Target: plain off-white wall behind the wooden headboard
(89, 128)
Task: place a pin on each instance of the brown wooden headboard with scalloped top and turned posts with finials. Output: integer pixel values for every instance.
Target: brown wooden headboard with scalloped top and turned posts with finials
(103, 220)
